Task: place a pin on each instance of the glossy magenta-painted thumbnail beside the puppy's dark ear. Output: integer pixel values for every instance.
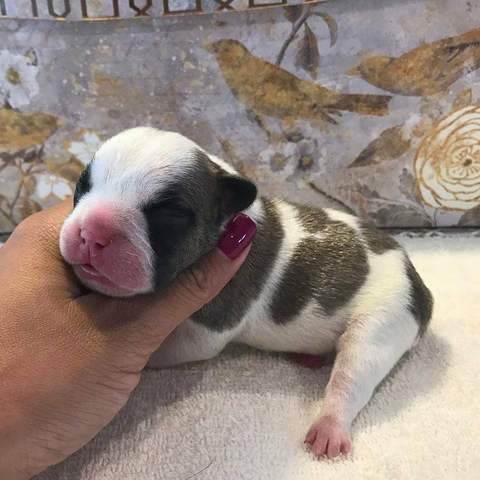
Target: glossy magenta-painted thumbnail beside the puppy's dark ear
(237, 236)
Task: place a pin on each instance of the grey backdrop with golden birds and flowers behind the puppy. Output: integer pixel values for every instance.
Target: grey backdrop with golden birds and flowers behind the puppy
(316, 102)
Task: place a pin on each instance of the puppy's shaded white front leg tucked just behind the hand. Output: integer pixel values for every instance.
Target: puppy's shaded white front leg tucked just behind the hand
(189, 342)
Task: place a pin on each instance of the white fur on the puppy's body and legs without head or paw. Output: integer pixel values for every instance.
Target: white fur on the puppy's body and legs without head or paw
(371, 333)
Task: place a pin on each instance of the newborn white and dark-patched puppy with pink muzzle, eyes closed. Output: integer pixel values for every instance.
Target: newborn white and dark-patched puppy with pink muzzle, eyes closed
(316, 280)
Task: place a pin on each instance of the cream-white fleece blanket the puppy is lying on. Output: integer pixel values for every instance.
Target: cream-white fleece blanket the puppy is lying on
(245, 414)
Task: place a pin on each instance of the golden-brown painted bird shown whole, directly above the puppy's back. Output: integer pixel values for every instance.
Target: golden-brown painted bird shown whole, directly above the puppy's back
(266, 89)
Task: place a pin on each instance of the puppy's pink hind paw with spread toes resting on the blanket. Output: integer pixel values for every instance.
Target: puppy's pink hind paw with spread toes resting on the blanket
(329, 437)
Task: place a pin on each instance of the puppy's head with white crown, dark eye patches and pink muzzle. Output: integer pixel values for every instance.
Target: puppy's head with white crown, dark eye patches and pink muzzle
(148, 205)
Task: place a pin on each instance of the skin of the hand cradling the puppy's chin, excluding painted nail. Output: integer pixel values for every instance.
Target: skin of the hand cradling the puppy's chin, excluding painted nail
(69, 359)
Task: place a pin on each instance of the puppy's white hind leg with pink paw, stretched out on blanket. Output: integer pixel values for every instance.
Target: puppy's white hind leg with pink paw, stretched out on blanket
(366, 353)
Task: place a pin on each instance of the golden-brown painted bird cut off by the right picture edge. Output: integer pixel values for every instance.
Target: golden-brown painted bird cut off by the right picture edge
(426, 70)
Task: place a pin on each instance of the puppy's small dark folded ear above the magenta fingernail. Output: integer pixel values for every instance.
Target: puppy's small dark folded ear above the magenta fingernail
(237, 193)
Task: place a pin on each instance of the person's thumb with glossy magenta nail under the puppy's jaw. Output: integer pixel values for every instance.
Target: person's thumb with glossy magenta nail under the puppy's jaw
(144, 322)
